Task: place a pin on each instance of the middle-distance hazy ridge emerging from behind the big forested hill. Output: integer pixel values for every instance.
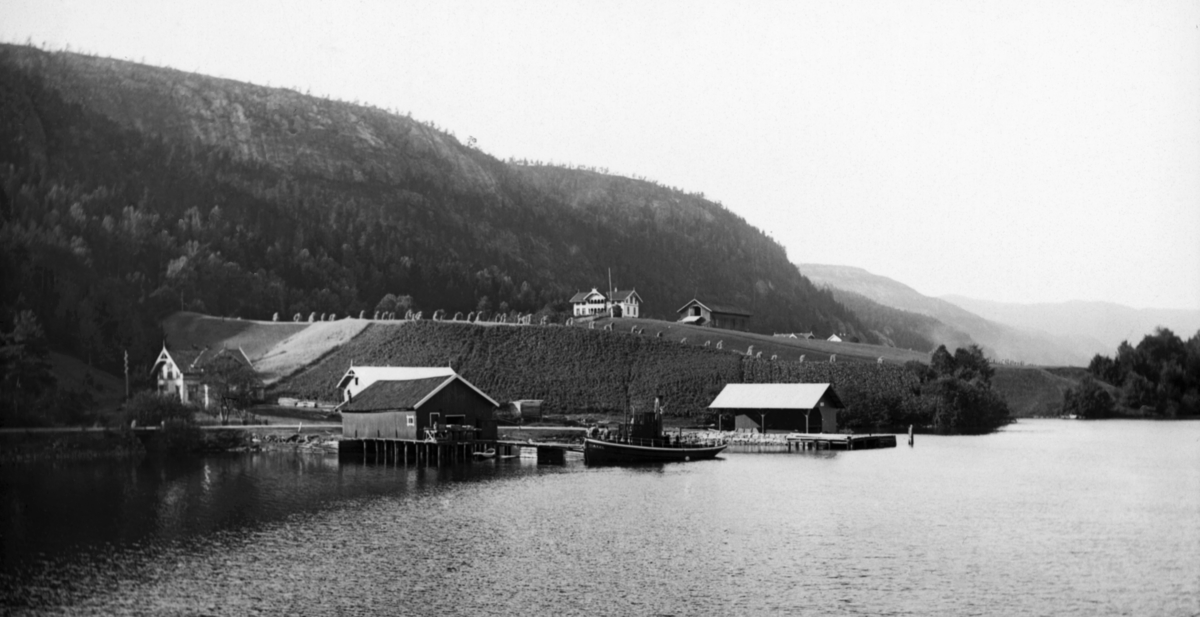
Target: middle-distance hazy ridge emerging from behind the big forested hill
(955, 326)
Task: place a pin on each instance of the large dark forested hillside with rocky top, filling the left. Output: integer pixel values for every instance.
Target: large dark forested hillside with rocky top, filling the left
(129, 193)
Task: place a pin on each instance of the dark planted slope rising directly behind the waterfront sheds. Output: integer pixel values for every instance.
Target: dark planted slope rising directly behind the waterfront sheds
(575, 370)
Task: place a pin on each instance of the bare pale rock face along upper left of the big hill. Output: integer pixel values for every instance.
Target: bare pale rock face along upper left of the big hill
(275, 127)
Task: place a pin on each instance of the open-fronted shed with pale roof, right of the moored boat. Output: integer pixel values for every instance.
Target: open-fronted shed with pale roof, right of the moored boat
(781, 406)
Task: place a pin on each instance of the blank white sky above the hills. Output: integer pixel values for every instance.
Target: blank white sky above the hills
(1013, 152)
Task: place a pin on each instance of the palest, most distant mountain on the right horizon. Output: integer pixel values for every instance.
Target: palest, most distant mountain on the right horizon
(1095, 327)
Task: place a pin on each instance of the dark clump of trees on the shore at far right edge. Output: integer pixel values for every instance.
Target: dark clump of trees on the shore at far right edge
(1159, 379)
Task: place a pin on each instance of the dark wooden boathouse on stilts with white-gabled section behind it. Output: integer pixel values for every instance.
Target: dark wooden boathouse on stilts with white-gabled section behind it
(415, 404)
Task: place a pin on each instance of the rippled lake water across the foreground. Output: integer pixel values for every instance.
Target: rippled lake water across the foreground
(1047, 518)
